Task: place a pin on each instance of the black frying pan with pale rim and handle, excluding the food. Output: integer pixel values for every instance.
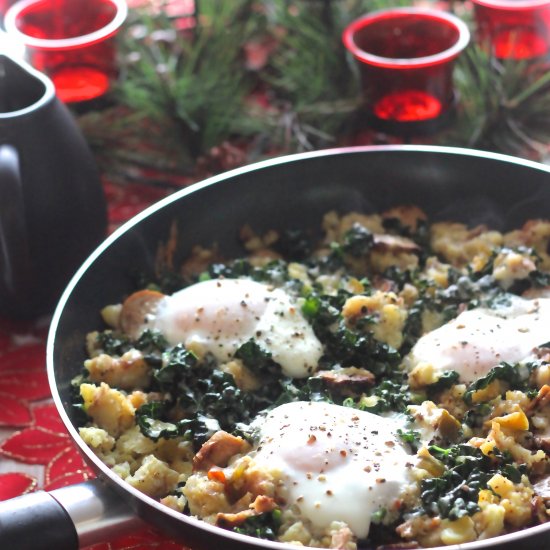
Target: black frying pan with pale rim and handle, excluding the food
(289, 192)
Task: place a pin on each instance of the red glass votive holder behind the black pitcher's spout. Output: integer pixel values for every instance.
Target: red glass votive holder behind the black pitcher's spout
(71, 41)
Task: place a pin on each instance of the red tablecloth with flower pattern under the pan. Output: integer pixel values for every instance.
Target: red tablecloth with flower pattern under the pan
(35, 450)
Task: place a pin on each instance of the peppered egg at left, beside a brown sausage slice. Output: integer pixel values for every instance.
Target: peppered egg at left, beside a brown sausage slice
(218, 316)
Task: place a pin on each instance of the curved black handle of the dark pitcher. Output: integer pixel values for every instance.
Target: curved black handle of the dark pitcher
(14, 243)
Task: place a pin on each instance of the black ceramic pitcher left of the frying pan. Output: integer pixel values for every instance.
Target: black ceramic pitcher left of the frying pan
(52, 207)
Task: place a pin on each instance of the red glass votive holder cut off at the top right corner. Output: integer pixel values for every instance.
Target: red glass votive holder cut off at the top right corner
(514, 29)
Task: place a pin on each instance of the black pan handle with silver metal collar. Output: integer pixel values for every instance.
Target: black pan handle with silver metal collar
(65, 519)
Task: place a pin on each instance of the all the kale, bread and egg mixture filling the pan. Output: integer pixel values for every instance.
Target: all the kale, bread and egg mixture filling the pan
(388, 384)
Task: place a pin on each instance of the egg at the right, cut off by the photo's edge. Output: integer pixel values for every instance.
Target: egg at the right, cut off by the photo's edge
(479, 339)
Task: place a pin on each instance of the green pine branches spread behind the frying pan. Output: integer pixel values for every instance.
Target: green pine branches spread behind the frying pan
(183, 101)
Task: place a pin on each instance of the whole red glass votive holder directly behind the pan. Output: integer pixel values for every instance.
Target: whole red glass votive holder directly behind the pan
(406, 58)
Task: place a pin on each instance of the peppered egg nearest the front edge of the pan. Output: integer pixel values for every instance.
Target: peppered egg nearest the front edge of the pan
(337, 463)
